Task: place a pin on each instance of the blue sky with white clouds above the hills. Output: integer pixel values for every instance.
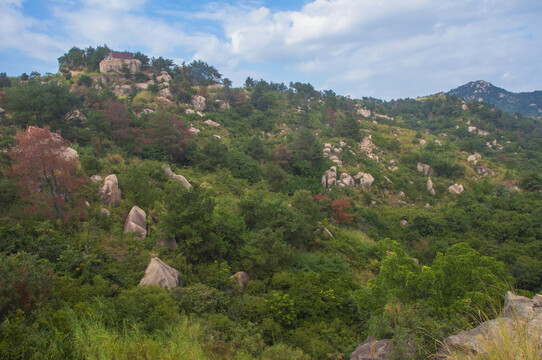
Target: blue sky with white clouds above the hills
(387, 49)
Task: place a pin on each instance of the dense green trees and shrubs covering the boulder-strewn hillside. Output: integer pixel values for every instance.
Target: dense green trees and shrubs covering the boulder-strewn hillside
(328, 267)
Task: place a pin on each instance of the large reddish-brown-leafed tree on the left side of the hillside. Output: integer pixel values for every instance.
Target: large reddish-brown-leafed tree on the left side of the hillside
(44, 165)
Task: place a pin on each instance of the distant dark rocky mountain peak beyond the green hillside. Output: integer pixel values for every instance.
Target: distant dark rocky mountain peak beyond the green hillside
(526, 103)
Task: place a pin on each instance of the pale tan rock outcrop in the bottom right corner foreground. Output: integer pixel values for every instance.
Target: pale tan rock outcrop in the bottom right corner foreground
(517, 309)
